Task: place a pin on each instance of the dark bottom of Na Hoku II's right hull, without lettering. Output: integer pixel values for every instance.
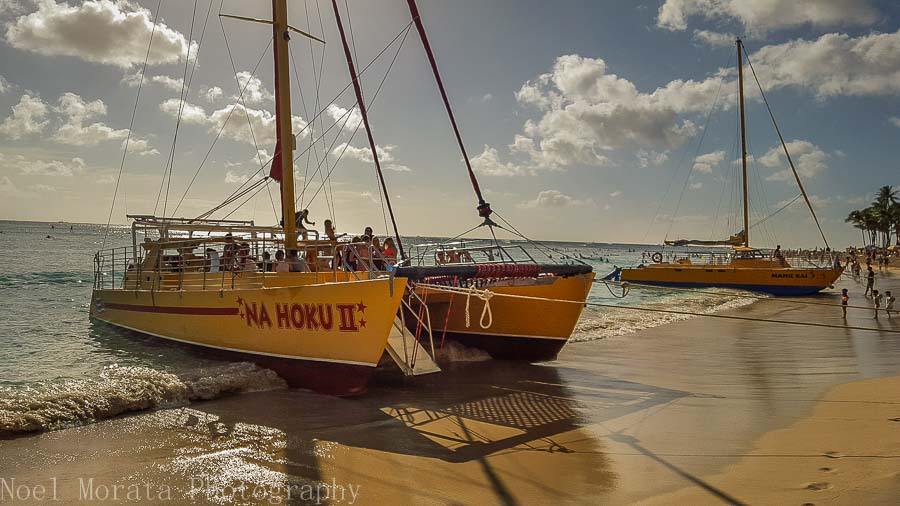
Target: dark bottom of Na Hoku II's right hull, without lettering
(501, 347)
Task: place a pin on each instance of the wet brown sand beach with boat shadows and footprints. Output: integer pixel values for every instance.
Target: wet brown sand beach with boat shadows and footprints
(697, 411)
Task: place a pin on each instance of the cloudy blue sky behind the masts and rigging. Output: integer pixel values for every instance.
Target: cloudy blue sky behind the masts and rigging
(584, 120)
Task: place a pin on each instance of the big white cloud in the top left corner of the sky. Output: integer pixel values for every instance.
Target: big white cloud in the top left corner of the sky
(100, 31)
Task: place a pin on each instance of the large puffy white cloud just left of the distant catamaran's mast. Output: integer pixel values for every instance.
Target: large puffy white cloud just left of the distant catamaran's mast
(588, 110)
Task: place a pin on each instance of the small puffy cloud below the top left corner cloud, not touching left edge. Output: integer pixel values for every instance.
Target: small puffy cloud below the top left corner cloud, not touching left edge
(75, 112)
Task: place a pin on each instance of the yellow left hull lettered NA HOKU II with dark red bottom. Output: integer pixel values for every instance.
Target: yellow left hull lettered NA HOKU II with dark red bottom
(325, 337)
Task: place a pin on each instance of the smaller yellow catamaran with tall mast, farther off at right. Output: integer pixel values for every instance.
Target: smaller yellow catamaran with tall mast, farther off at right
(745, 267)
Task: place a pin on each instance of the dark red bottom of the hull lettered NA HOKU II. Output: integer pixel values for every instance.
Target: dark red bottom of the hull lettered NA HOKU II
(329, 378)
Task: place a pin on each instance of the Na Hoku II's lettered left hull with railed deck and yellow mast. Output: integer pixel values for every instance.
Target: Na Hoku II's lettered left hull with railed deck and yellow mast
(326, 329)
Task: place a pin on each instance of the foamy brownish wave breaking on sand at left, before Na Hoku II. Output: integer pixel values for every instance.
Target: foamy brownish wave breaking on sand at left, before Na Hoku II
(120, 390)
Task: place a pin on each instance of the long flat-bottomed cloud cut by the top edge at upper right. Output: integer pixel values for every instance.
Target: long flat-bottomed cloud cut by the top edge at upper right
(759, 17)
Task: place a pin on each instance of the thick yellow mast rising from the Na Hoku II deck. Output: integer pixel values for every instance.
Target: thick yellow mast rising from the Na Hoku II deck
(284, 149)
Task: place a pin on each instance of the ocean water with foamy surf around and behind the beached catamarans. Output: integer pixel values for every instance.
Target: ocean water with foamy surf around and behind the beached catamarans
(59, 368)
